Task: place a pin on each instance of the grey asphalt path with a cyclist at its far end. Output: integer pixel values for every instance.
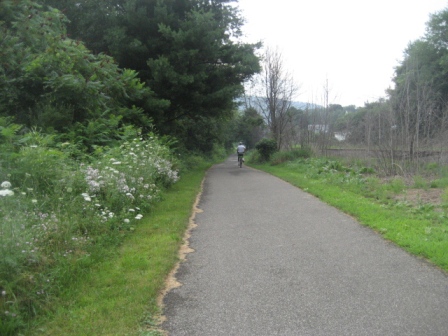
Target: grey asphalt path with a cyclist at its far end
(270, 259)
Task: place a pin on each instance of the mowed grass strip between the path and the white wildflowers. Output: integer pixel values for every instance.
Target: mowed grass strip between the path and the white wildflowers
(119, 295)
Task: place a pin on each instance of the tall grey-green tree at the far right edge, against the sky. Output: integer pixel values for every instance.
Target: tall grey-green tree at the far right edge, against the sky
(420, 96)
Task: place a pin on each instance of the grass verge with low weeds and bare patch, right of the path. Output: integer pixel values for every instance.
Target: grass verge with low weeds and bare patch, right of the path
(411, 212)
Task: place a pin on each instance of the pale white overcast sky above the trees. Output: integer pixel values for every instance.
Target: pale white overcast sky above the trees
(355, 44)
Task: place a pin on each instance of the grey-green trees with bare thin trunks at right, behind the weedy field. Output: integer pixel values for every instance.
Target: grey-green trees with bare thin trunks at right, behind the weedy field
(413, 120)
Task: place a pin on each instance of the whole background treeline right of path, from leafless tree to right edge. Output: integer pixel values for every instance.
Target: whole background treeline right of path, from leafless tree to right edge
(403, 128)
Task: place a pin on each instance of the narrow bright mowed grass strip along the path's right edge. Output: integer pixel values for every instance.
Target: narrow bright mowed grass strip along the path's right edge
(419, 236)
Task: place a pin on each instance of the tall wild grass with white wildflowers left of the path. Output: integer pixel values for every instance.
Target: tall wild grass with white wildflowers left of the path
(57, 215)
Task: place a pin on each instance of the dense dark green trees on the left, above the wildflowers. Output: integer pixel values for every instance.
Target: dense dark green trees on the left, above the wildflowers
(85, 70)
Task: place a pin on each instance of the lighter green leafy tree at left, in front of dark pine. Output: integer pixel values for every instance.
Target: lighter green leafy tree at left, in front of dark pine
(53, 82)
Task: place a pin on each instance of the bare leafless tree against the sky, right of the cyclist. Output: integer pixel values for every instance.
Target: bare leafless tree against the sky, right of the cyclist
(278, 91)
